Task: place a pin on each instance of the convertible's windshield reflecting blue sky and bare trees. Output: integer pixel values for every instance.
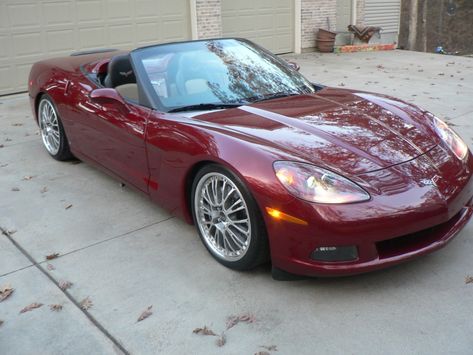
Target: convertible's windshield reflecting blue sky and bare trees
(216, 73)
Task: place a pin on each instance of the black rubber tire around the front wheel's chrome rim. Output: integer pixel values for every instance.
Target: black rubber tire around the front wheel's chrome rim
(257, 252)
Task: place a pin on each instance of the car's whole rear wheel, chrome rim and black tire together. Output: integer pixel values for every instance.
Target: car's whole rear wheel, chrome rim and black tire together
(52, 131)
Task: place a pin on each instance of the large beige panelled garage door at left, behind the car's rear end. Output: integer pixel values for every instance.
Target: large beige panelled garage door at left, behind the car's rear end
(34, 30)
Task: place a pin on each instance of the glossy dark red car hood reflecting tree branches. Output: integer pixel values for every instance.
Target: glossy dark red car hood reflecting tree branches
(352, 132)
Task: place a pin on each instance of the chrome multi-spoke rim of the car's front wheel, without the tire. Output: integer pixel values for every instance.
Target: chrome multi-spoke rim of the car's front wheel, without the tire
(222, 216)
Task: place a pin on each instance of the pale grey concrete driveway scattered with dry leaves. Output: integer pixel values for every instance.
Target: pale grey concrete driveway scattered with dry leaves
(123, 254)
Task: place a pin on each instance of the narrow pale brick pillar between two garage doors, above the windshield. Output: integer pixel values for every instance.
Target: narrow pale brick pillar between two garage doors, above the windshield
(209, 18)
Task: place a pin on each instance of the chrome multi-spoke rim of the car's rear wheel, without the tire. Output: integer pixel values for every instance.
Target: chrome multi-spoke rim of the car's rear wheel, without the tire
(49, 127)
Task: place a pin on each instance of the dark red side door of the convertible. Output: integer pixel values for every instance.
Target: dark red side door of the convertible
(113, 135)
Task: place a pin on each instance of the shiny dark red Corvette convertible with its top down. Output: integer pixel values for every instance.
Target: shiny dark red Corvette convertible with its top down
(267, 165)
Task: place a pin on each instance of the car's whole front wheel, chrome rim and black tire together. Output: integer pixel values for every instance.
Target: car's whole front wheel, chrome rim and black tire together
(228, 219)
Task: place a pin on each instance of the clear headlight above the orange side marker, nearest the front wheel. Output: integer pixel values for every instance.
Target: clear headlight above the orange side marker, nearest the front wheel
(315, 184)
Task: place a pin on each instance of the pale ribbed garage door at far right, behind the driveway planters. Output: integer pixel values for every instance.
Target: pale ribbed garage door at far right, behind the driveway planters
(385, 14)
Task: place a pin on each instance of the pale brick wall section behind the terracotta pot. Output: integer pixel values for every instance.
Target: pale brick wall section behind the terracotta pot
(314, 16)
